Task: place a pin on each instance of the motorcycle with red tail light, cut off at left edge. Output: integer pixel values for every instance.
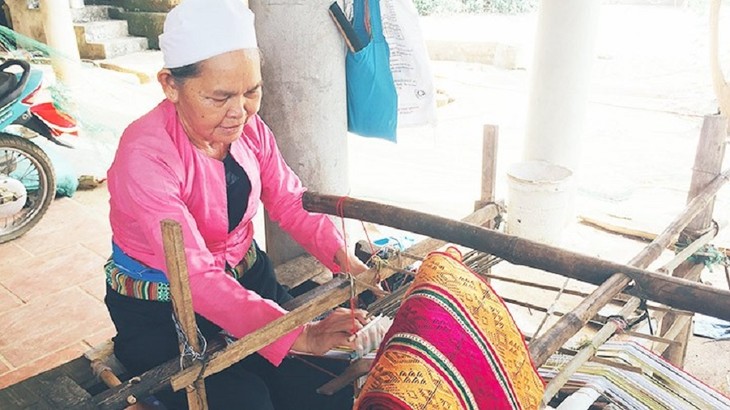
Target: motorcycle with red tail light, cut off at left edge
(27, 178)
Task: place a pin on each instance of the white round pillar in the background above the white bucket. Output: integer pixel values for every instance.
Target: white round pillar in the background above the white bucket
(560, 76)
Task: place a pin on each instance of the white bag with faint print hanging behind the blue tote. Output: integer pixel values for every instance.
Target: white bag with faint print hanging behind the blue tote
(409, 63)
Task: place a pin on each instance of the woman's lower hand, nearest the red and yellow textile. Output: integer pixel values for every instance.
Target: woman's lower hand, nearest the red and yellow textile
(332, 331)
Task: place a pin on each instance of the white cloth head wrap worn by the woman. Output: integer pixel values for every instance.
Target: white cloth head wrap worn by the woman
(196, 30)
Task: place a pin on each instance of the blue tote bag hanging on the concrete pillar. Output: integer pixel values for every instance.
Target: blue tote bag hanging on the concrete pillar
(372, 101)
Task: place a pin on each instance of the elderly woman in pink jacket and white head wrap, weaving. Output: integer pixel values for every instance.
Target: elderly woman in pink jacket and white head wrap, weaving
(204, 158)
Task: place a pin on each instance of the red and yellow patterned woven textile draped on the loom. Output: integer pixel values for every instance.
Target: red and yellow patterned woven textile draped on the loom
(453, 345)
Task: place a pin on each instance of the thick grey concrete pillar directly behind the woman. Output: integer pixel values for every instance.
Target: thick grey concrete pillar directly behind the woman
(304, 99)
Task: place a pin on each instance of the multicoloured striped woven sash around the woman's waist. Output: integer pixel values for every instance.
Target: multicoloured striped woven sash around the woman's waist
(124, 284)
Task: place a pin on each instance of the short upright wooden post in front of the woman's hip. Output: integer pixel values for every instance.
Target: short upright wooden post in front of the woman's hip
(182, 302)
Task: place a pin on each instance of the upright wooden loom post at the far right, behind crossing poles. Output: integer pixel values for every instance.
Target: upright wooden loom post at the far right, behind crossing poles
(707, 165)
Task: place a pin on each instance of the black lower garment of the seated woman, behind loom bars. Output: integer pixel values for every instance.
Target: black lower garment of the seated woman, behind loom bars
(146, 338)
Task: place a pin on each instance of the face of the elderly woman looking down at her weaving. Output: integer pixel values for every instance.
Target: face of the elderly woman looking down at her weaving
(214, 105)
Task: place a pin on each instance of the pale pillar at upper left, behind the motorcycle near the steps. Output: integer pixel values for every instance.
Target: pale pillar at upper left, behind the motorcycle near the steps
(60, 35)
